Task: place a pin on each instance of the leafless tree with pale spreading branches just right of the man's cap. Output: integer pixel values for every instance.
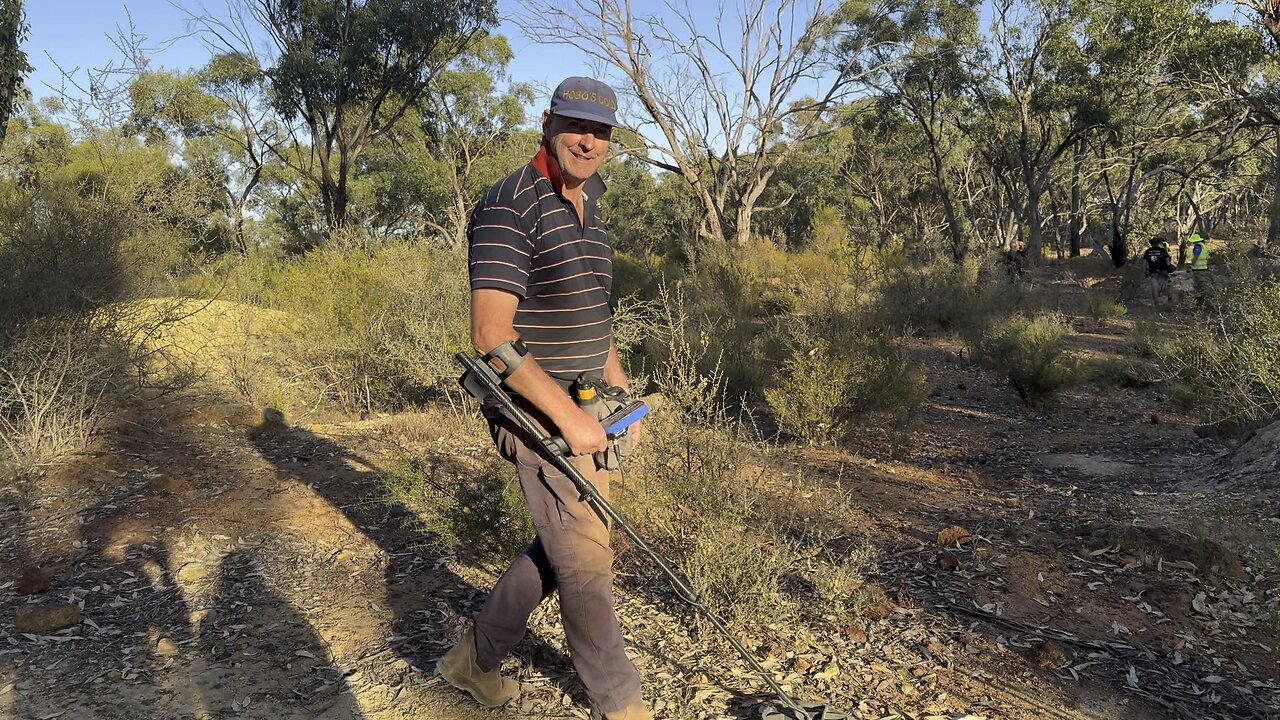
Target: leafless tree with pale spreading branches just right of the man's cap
(724, 97)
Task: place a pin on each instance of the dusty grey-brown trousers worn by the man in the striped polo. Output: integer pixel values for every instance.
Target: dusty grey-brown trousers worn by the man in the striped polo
(570, 555)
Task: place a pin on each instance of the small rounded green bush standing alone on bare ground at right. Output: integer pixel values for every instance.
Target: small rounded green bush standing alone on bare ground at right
(1031, 353)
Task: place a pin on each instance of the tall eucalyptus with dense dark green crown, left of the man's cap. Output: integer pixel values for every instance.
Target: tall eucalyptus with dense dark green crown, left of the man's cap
(348, 72)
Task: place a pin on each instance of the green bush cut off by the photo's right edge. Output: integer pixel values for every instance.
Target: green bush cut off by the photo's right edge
(1229, 362)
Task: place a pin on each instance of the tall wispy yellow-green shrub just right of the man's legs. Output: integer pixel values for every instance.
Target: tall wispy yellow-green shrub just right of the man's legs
(689, 490)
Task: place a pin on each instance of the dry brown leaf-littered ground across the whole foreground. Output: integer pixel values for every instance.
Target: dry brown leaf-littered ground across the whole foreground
(227, 566)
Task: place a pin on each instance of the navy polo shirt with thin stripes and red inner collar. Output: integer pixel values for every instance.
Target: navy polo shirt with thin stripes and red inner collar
(527, 239)
